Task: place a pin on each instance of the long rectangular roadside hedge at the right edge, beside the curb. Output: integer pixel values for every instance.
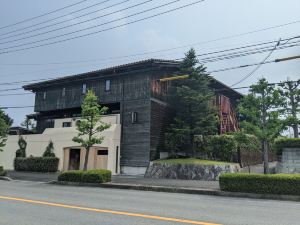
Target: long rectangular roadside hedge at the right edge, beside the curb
(282, 184)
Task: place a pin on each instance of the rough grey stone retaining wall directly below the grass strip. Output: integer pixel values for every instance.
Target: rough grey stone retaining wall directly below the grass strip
(188, 171)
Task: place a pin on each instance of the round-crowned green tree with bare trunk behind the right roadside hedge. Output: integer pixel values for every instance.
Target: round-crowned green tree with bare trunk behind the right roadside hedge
(260, 113)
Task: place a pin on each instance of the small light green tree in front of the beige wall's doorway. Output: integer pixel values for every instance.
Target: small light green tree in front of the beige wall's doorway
(90, 124)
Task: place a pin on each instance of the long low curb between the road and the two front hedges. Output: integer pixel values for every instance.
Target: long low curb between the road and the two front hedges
(182, 190)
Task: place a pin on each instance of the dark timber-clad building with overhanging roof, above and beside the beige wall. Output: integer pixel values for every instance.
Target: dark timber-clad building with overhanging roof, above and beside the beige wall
(131, 90)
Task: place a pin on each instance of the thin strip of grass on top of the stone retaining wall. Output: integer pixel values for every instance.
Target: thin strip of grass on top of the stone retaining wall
(192, 161)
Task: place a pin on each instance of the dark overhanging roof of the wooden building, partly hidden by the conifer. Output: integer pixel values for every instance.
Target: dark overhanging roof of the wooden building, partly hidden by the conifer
(129, 67)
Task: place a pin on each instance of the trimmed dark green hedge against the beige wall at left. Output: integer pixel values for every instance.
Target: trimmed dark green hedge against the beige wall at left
(36, 164)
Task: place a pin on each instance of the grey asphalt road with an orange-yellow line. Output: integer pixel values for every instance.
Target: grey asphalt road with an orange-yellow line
(32, 203)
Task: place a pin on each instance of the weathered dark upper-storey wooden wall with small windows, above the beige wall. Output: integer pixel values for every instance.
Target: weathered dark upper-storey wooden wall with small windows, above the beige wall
(133, 87)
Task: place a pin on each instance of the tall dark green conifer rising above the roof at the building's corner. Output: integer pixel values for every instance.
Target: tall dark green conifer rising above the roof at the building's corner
(192, 102)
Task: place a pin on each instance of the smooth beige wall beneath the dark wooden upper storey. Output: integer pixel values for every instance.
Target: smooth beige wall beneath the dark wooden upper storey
(62, 138)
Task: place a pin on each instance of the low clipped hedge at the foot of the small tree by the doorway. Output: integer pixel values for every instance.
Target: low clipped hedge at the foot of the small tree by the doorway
(90, 176)
